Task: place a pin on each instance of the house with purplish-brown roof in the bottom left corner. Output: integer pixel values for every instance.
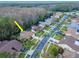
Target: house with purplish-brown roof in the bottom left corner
(10, 46)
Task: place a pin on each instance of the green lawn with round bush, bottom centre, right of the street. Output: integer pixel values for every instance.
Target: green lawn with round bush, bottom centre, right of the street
(52, 51)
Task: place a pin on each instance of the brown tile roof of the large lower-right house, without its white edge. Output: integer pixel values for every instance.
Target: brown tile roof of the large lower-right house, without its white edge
(70, 41)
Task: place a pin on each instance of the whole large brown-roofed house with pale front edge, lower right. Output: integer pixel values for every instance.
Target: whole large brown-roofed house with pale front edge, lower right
(70, 43)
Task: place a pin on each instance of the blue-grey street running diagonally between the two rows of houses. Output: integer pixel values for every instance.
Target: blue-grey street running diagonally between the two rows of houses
(46, 38)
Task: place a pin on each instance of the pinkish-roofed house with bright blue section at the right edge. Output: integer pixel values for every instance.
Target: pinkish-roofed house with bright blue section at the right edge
(73, 30)
